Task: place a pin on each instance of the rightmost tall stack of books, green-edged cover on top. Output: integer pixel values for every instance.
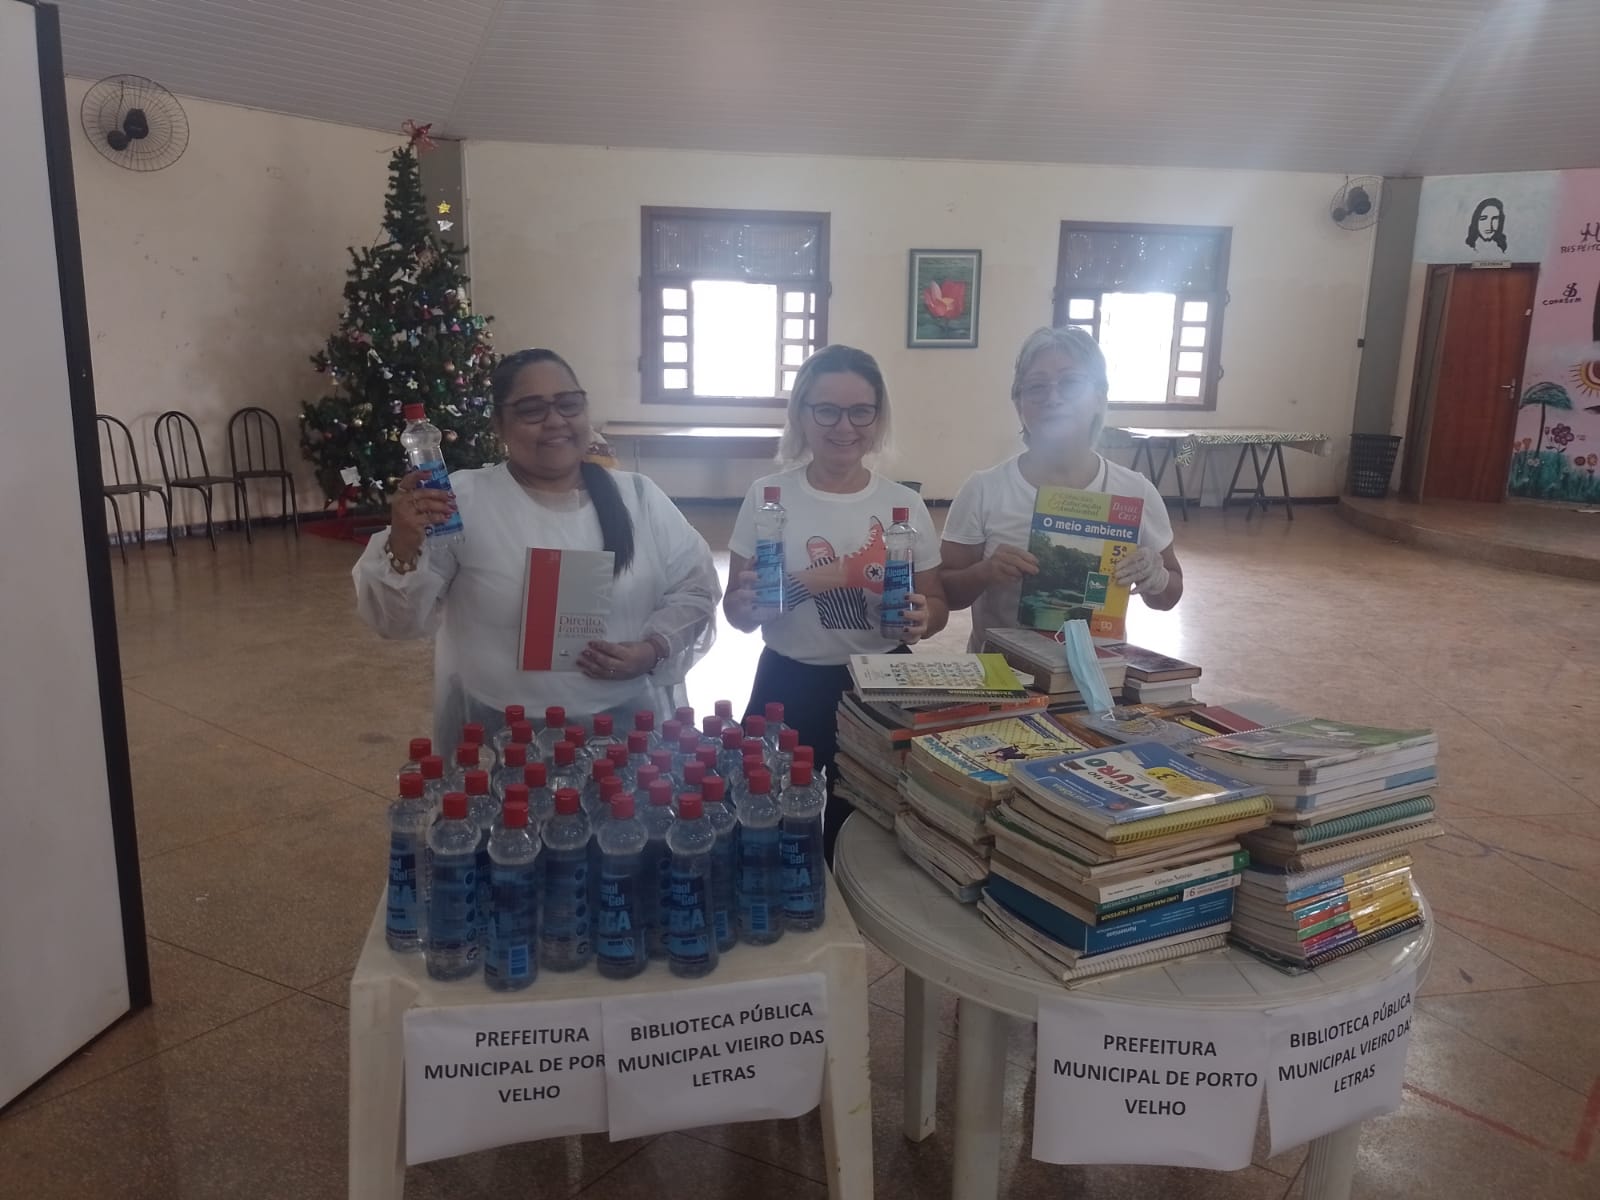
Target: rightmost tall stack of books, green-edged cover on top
(1330, 874)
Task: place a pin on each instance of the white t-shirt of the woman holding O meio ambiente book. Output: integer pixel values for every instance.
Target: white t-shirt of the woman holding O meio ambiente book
(996, 508)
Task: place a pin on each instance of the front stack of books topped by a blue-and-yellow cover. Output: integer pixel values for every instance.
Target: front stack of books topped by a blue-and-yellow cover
(1116, 858)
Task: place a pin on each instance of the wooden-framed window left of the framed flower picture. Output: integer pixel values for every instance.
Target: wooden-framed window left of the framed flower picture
(732, 303)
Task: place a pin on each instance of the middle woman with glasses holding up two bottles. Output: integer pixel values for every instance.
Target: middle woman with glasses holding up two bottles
(838, 511)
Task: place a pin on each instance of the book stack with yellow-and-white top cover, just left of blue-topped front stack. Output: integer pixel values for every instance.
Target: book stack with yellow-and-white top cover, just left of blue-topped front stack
(954, 780)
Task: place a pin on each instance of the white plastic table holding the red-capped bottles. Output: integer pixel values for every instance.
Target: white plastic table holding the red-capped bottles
(386, 985)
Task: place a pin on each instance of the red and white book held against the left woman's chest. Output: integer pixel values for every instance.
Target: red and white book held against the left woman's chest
(567, 599)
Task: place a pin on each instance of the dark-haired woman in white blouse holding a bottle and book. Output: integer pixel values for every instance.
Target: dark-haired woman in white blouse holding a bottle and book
(470, 593)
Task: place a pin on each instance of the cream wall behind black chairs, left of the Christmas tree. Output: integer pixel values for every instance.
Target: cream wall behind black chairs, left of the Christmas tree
(210, 282)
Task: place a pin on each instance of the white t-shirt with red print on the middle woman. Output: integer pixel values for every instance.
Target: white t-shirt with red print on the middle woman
(834, 564)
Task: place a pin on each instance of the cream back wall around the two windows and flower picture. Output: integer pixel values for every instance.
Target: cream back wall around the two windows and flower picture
(556, 260)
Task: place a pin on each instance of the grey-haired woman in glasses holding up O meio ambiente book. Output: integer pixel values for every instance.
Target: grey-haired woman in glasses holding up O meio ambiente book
(1060, 393)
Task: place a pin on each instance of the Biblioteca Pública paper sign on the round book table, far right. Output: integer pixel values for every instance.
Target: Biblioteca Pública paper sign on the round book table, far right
(1338, 1062)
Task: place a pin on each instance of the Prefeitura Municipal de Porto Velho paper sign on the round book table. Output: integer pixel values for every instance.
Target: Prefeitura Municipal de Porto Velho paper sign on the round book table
(1169, 1087)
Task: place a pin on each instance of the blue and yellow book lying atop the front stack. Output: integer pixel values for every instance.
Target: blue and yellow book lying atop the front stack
(1127, 783)
